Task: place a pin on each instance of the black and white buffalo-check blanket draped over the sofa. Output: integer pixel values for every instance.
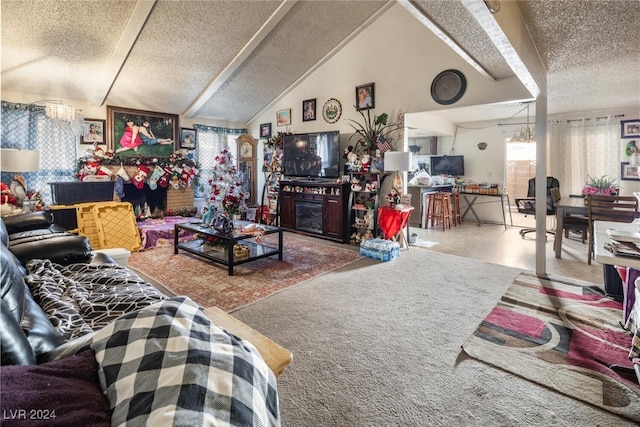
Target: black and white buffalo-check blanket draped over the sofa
(167, 364)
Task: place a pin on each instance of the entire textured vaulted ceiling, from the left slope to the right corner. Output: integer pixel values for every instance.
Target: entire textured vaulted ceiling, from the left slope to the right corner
(228, 60)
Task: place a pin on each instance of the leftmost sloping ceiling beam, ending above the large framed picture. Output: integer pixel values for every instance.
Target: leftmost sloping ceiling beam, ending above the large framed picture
(132, 30)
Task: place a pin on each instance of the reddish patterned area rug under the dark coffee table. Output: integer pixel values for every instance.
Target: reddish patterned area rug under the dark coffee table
(208, 284)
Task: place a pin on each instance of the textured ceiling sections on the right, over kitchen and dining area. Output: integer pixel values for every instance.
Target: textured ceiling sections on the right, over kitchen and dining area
(588, 47)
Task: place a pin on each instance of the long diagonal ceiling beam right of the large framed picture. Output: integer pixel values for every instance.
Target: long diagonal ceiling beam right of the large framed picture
(241, 56)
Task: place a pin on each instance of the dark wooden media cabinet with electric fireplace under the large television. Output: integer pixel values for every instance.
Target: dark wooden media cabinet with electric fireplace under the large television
(314, 208)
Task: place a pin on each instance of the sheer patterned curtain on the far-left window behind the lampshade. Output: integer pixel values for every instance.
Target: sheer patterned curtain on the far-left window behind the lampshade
(26, 126)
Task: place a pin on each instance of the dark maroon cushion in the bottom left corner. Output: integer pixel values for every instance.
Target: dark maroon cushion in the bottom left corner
(61, 393)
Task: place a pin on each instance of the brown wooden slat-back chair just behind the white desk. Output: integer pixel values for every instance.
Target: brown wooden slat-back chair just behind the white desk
(609, 208)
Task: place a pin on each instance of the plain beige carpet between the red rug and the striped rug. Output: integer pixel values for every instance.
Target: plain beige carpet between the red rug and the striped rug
(379, 344)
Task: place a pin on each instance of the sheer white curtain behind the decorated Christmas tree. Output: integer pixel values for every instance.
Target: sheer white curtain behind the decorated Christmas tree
(212, 140)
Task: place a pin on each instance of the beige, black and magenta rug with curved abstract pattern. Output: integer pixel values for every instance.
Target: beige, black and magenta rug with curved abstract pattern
(564, 335)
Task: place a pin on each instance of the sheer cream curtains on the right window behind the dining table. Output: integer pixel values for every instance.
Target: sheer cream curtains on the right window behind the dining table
(577, 149)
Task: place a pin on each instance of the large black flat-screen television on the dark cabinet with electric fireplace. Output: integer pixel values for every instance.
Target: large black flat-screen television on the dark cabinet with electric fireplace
(312, 155)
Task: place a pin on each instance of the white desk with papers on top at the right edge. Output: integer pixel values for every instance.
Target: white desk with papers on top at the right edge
(602, 255)
